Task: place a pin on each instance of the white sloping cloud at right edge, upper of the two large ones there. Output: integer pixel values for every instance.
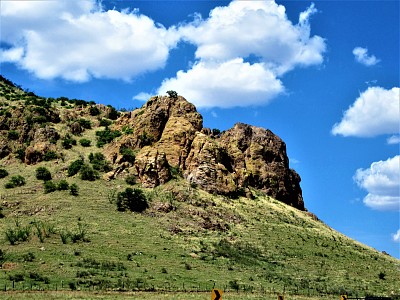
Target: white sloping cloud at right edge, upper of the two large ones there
(375, 112)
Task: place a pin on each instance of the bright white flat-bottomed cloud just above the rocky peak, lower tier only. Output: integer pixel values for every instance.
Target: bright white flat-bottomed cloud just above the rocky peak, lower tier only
(228, 84)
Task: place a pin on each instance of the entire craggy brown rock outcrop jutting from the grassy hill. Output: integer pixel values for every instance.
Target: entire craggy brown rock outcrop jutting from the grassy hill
(167, 132)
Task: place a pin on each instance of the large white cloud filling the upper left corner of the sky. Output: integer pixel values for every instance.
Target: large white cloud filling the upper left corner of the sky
(77, 40)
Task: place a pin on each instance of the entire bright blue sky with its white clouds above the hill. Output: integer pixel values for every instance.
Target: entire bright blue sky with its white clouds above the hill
(323, 76)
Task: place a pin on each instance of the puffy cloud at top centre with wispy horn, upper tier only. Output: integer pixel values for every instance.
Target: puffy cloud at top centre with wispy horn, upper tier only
(259, 28)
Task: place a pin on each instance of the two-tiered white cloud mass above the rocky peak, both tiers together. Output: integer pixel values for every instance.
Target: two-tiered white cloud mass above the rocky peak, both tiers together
(222, 76)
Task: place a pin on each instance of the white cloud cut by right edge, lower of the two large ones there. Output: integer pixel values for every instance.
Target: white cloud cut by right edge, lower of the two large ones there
(382, 182)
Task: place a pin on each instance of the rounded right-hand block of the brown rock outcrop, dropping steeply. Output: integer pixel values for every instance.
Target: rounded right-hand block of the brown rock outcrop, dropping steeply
(259, 160)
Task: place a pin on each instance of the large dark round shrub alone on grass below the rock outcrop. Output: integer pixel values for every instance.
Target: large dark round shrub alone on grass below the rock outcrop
(131, 199)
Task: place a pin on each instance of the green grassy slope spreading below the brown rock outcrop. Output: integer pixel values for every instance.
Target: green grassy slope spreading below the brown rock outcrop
(187, 240)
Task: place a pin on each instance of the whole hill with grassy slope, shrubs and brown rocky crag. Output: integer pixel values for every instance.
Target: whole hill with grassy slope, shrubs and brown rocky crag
(221, 208)
